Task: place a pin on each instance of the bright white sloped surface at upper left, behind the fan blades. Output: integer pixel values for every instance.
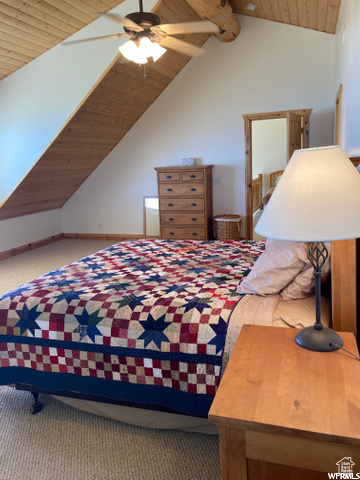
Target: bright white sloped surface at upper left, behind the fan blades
(37, 100)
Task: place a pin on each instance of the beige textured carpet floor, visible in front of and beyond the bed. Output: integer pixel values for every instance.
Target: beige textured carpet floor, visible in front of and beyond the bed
(63, 443)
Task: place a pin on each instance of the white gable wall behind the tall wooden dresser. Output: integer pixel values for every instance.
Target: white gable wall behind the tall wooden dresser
(269, 67)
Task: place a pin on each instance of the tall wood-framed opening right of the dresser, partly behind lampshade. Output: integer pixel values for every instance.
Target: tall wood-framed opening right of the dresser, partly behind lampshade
(268, 153)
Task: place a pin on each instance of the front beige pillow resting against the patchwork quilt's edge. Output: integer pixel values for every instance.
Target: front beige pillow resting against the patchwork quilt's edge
(276, 267)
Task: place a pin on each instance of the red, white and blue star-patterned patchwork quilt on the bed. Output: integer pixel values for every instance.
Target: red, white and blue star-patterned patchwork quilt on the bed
(141, 322)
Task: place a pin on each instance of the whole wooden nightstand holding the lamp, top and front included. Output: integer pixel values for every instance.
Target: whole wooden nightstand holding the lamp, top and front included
(285, 412)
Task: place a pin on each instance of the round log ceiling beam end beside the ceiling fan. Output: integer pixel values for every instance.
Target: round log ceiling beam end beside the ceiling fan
(220, 13)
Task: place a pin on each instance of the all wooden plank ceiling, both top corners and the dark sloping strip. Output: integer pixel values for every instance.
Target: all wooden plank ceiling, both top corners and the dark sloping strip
(27, 28)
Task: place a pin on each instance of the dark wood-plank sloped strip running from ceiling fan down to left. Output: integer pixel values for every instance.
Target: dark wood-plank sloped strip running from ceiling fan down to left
(108, 113)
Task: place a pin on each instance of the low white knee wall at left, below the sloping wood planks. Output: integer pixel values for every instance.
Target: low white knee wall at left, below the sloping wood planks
(19, 231)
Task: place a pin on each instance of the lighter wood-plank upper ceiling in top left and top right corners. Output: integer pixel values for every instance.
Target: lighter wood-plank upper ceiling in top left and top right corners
(28, 28)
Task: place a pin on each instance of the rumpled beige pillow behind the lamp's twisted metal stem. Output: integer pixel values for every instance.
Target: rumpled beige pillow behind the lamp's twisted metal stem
(303, 284)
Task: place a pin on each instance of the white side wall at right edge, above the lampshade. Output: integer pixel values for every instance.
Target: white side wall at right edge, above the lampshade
(347, 70)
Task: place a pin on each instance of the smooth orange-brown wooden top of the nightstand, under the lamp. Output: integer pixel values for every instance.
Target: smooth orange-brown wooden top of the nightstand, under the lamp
(273, 385)
